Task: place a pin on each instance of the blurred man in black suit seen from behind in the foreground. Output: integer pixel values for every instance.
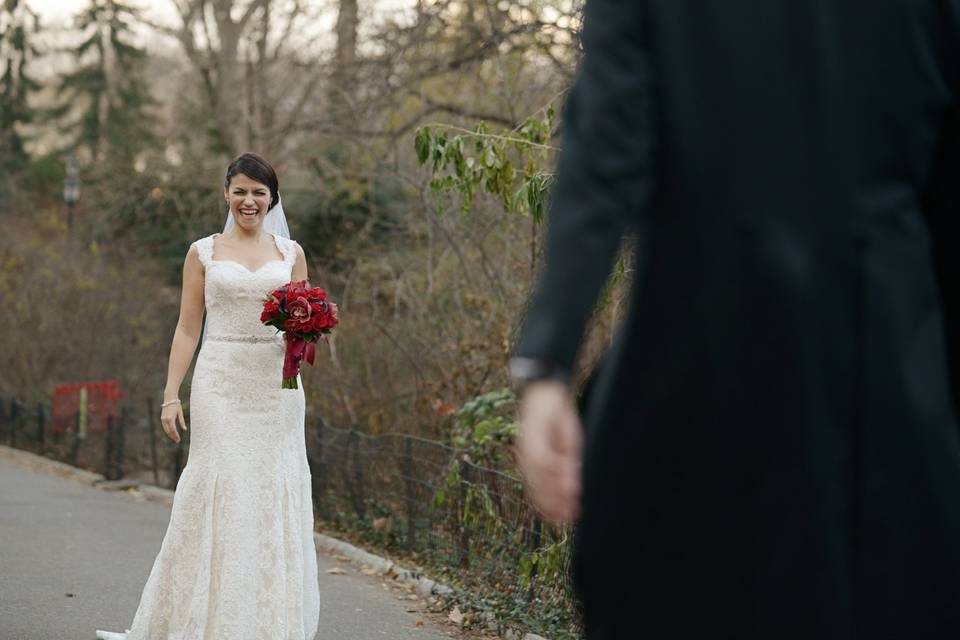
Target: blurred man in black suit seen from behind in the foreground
(771, 446)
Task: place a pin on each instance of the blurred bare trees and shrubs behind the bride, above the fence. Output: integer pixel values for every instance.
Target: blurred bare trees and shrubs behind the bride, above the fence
(414, 143)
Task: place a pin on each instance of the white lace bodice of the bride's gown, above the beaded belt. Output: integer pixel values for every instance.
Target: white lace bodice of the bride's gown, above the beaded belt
(233, 294)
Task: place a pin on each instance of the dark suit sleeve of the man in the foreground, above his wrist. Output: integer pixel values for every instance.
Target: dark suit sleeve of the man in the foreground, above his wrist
(604, 178)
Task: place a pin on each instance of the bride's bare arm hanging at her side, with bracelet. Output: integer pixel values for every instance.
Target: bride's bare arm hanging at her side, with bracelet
(185, 339)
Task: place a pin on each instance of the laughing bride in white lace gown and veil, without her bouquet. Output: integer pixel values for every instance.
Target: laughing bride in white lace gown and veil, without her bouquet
(238, 560)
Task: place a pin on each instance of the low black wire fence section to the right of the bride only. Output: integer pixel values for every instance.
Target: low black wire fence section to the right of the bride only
(430, 502)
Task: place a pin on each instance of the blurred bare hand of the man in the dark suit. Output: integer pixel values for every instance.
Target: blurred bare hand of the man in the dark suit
(549, 450)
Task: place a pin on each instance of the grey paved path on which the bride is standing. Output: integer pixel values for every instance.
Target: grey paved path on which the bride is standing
(74, 558)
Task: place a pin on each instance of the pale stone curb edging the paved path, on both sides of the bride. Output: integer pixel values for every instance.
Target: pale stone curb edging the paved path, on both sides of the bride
(425, 586)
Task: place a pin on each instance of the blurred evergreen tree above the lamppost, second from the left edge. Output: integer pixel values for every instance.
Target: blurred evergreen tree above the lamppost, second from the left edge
(105, 99)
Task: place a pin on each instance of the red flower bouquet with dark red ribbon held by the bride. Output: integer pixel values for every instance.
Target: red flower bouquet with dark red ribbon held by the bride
(304, 315)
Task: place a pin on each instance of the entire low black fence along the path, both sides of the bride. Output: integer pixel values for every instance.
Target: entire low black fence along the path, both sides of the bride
(422, 501)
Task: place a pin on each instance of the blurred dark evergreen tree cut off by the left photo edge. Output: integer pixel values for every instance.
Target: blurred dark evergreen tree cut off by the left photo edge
(17, 24)
